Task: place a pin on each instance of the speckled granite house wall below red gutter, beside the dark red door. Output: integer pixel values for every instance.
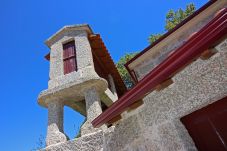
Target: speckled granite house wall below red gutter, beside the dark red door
(156, 124)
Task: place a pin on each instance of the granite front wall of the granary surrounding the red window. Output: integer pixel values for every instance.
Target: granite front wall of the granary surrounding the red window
(56, 56)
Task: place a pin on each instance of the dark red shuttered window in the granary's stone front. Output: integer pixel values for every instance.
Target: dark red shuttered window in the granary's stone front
(69, 57)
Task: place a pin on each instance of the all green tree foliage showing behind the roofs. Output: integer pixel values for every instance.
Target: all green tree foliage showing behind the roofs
(172, 19)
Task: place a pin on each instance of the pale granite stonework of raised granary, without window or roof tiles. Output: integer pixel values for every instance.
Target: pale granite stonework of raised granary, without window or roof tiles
(73, 88)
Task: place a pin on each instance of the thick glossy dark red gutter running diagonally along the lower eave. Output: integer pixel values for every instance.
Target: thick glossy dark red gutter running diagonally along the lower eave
(197, 44)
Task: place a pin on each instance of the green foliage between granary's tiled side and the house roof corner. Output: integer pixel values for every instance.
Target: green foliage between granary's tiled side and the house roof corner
(122, 70)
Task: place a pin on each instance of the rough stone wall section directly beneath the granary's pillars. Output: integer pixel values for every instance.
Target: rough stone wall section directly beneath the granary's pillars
(91, 142)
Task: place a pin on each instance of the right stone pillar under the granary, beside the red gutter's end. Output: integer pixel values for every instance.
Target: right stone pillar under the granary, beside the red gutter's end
(93, 109)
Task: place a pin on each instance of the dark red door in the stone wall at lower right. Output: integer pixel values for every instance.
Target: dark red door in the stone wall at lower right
(208, 126)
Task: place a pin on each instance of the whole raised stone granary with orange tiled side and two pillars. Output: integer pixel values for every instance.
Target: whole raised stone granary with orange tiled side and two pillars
(82, 76)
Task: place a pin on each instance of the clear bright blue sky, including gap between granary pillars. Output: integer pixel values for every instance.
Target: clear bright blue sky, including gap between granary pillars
(24, 26)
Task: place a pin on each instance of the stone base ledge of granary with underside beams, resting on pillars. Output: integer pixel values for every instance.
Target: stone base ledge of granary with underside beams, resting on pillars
(69, 89)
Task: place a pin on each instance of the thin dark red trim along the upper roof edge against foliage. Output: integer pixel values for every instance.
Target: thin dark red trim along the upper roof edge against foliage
(169, 32)
